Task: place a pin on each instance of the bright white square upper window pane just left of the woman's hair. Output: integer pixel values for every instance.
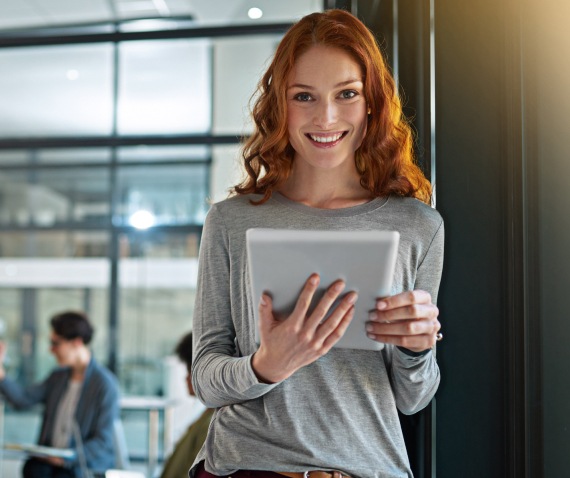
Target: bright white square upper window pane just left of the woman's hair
(165, 87)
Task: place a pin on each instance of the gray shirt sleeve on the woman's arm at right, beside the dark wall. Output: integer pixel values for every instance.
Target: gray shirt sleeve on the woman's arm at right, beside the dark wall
(415, 378)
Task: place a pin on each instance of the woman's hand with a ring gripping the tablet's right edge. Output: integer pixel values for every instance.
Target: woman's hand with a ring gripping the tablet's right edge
(408, 319)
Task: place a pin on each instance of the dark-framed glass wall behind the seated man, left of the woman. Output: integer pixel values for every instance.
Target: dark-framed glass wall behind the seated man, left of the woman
(111, 152)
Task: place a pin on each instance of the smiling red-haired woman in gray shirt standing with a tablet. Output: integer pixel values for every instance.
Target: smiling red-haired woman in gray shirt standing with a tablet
(331, 150)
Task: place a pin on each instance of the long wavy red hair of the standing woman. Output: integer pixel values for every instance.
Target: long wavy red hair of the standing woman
(385, 159)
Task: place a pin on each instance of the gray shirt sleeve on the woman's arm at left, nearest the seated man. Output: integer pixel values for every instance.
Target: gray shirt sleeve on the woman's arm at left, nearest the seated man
(219, 377)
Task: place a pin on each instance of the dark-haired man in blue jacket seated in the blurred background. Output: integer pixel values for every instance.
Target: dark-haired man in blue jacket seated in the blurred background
(79, 393)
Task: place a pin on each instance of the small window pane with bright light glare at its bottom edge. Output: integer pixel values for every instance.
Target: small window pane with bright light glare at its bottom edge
(168, 195)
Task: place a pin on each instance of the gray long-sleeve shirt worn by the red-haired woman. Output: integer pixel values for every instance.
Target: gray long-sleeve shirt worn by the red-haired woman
(339, 412)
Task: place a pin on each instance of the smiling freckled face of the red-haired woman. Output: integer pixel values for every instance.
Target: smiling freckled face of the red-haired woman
(326, 108)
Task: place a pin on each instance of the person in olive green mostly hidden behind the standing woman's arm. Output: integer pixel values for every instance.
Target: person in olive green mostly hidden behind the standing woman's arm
(178, 464)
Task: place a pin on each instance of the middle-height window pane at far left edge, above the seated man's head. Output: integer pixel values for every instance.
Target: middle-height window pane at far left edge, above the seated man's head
(50, 197)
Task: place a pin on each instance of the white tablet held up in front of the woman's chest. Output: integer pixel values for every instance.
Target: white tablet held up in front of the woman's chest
(280, 262)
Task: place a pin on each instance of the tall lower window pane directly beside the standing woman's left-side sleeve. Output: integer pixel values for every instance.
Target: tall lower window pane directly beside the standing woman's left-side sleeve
(158, 280)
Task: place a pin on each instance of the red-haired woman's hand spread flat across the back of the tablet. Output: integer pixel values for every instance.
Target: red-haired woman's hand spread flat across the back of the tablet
(288, 345)
